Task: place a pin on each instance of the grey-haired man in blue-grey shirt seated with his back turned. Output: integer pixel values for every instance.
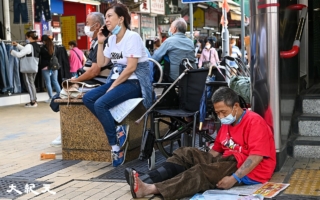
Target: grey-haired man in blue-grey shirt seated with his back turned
(176, 48)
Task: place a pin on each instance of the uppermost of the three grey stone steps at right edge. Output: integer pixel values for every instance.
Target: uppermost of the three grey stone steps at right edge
(311, 104)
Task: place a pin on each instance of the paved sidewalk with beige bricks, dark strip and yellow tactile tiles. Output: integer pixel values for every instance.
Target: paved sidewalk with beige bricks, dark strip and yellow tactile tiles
(25, 133)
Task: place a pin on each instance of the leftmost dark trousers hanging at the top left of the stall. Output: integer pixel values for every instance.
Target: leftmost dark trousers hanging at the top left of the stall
(20, 9)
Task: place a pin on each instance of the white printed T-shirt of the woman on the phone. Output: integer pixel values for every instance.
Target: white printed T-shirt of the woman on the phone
(131, 45)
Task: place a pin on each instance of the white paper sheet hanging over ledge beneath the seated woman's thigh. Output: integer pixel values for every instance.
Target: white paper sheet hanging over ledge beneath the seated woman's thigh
(119, 112)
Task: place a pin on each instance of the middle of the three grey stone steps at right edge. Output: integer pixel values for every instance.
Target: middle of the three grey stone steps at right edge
(309, 124)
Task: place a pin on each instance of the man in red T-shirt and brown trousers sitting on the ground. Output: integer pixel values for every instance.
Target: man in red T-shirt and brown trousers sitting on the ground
(243, 153)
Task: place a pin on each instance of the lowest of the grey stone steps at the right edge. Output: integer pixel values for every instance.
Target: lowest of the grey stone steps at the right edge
(306, 147)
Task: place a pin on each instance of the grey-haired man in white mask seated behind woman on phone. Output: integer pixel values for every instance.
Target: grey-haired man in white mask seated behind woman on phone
(93, 73)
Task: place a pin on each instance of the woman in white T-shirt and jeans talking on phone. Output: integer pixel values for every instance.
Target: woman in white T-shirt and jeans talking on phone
(129, 77)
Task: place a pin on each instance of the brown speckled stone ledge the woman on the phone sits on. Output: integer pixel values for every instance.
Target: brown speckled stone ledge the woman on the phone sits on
(83, 136)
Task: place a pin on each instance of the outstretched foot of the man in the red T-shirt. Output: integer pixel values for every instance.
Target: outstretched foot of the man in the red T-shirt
(142, 189)
